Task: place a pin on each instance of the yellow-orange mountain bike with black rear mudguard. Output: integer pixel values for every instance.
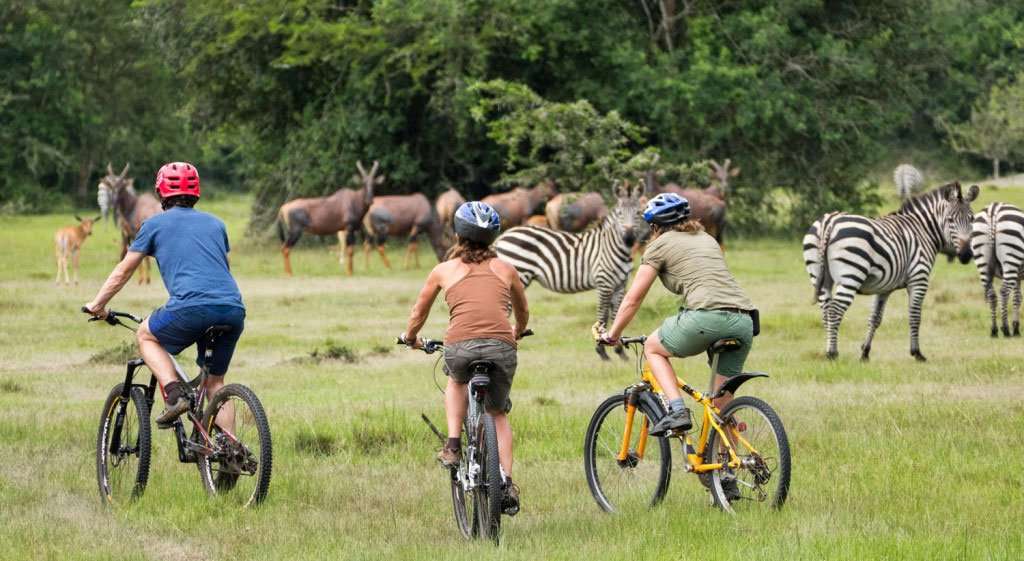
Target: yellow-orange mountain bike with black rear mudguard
(742, 454)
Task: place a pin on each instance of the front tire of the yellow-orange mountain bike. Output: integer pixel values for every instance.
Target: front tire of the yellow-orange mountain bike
(660, 471)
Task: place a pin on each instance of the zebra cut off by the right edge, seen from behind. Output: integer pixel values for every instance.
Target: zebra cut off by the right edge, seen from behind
(998, 243)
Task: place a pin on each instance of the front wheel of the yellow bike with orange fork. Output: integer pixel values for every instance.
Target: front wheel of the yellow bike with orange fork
(642, 479)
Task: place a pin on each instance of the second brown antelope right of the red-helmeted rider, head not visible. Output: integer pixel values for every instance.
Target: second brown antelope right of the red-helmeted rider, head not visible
(408, 215)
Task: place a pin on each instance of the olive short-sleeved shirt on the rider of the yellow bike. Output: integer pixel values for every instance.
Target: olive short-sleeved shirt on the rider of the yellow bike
(693, 267)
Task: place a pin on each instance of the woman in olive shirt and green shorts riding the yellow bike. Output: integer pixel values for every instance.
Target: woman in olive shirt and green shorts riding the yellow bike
(690, 264)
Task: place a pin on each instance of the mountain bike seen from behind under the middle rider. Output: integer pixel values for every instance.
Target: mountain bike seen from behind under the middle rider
(478, 485)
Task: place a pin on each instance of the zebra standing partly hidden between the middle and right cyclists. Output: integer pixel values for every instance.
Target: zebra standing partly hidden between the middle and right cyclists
(564, 263)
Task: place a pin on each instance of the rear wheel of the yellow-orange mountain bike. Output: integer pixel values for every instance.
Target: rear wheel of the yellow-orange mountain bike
(760, 442)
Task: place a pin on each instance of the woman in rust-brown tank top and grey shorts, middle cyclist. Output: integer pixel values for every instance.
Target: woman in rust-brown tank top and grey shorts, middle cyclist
(480, 290)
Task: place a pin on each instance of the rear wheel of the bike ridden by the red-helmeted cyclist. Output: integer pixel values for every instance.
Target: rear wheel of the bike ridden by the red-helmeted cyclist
(240, 469)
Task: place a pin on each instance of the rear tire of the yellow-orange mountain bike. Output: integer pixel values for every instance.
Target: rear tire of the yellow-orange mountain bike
(755, 485)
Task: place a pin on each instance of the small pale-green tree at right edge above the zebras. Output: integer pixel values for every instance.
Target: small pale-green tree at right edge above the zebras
(996, 131)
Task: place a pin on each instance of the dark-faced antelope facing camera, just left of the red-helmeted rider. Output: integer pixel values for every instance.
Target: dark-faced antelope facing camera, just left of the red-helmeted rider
(131, 210)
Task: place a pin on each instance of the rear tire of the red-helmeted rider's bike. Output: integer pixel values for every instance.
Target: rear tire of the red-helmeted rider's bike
(227, 480)
